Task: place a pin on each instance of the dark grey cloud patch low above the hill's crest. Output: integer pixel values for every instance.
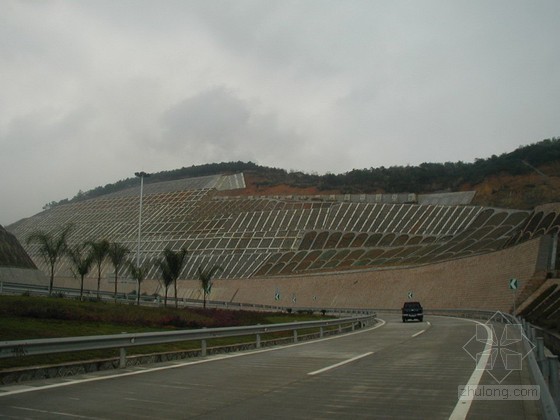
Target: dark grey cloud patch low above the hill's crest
(217, 125)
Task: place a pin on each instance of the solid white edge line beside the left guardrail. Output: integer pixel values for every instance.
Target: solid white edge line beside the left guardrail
(30, 388)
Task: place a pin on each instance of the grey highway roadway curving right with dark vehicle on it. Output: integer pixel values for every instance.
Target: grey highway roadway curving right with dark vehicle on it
(395, 370)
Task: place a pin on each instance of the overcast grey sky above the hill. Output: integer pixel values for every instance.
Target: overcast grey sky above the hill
(92, 91)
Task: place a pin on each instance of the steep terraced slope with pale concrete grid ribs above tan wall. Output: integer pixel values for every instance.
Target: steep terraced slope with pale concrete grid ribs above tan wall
(252, 236)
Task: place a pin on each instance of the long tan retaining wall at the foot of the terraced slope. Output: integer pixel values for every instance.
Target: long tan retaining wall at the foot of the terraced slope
(479, 282)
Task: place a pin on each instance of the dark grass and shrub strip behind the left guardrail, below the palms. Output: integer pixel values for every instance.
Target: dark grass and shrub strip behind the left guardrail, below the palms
(24, 317)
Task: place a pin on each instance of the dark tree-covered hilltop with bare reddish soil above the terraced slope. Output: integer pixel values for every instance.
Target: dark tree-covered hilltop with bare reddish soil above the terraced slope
(524, 178)
